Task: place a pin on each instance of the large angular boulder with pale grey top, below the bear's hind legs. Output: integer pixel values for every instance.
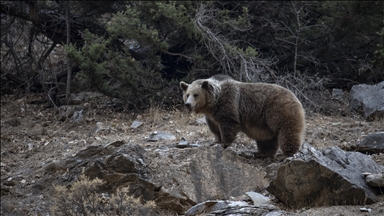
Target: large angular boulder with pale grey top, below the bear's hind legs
(331, 176)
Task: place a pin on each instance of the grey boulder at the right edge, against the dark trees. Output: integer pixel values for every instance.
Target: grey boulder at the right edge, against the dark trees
(368, 99)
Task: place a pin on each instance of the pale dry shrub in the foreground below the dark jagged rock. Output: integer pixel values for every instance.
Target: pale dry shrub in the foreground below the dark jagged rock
(83, 199)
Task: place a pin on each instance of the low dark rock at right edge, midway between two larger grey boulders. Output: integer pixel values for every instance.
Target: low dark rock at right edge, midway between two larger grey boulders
(372, 143)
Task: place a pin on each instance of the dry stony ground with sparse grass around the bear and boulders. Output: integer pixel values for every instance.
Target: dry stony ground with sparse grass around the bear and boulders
(33, 137)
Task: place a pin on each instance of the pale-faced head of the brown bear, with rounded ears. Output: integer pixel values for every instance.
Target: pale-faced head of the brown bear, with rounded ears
(198, 96)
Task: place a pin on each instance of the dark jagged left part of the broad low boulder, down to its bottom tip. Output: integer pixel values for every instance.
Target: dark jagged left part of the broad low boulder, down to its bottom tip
(121, 165)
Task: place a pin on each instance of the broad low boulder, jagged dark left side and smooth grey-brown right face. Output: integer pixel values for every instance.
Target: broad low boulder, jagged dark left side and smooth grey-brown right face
(174, 178)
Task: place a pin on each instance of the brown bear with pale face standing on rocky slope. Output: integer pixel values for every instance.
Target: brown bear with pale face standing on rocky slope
(268, 113)
